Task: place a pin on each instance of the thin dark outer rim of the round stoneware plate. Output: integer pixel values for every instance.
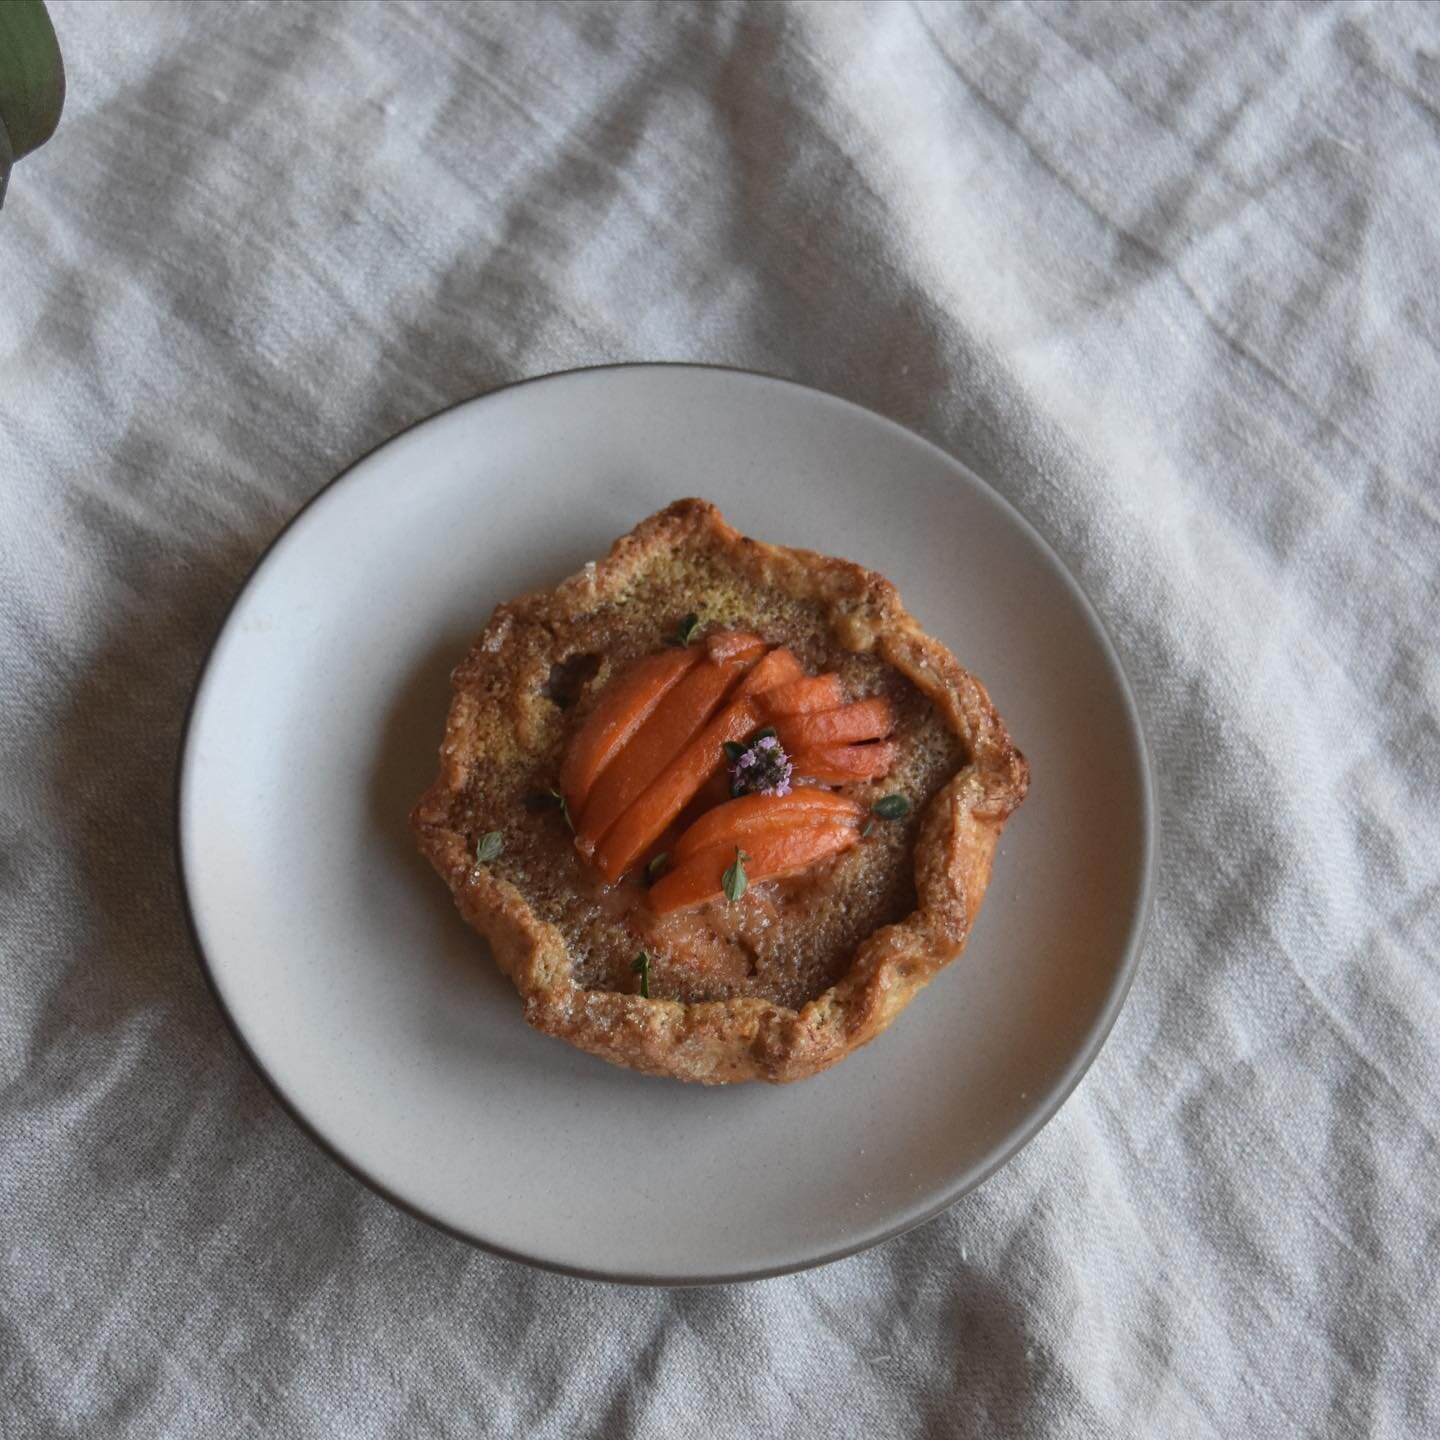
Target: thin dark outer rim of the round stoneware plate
(1081, 1063)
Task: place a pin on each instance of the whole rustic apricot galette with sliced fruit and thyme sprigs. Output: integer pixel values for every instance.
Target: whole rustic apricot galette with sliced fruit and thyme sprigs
(719, 807)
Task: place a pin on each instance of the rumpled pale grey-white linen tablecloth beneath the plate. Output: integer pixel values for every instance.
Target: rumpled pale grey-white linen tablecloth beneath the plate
(1167, 276)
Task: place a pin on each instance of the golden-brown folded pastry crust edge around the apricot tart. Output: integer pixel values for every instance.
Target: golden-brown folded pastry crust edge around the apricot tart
(499, 716)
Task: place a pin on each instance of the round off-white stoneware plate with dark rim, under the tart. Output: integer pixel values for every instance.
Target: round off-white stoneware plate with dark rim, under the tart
(378, 1016)
